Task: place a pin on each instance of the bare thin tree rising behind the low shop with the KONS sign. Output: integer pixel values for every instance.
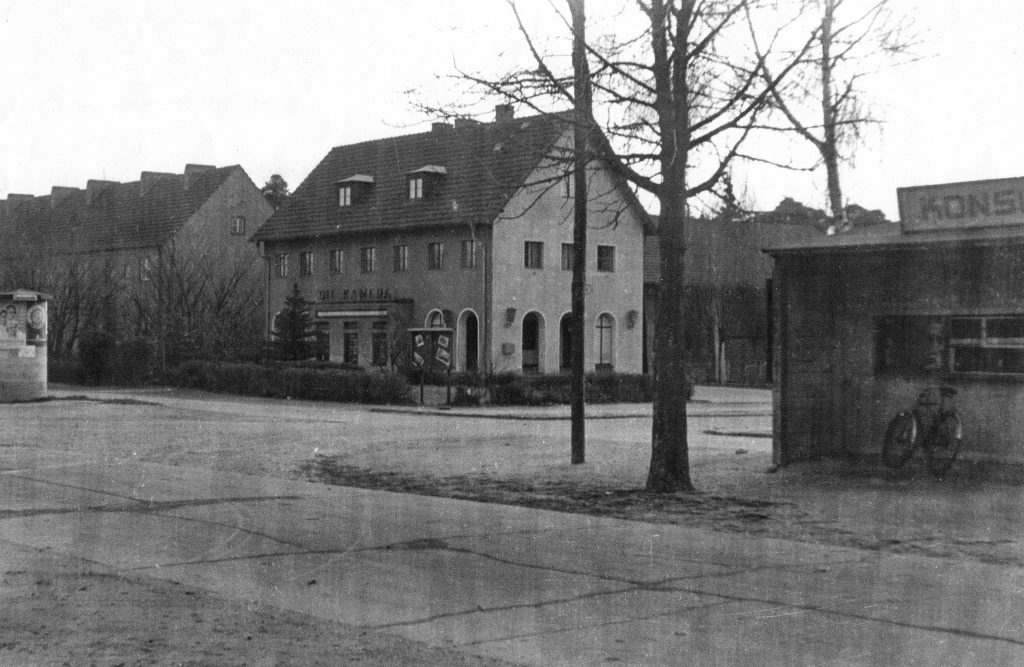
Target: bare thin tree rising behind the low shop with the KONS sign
(824, 102)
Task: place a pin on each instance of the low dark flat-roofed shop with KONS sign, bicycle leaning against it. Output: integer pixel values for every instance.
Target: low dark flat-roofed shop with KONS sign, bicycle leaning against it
(865, 323)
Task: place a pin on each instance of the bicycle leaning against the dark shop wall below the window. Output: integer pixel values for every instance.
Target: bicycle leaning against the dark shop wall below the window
(933, 425)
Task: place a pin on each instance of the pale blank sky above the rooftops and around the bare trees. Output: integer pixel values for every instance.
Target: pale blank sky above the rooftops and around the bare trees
(110, 89)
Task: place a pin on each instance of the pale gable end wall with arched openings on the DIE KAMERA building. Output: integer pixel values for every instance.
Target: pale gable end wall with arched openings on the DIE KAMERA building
(542, 213)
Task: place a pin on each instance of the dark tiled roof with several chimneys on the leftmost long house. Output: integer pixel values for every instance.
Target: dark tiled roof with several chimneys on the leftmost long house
(119, 216)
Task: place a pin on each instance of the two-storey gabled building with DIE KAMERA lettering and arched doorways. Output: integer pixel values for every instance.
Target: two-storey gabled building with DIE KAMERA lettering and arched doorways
(467, 227)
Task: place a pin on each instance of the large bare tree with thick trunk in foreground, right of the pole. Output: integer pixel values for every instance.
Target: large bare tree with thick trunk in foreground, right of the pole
(678, 102)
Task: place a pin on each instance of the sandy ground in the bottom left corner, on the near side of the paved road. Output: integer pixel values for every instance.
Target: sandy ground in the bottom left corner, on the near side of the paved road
(143, 621)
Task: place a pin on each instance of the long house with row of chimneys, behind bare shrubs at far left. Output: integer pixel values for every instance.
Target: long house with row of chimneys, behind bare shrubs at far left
(123, 239)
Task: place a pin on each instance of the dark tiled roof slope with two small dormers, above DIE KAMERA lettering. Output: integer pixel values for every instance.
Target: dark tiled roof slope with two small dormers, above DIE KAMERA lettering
(485, 164)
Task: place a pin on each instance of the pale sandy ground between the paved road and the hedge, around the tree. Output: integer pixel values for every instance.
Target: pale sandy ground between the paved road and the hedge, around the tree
(973, 514)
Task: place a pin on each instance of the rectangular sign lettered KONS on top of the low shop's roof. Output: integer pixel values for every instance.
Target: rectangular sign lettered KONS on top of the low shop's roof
(974, 204)
